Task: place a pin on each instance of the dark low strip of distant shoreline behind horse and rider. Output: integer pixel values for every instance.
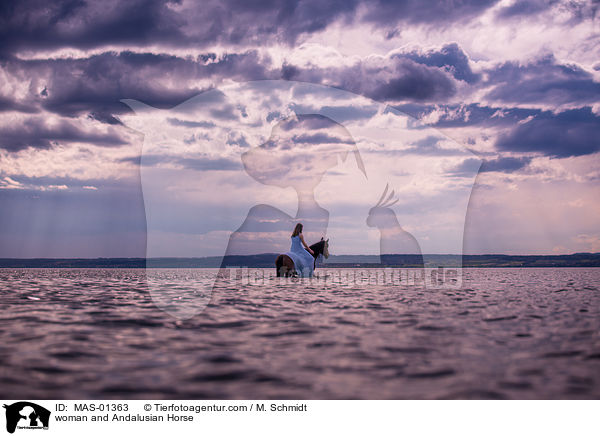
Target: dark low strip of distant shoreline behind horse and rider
(267, 260)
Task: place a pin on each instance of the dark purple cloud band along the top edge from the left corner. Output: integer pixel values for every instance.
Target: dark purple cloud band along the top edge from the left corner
(38, 24)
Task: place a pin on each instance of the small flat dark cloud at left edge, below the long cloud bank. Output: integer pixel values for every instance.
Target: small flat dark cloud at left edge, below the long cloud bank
(36, 133)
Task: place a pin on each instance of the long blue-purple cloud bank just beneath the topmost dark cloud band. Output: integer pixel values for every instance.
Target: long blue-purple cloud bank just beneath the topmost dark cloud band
(95, 85)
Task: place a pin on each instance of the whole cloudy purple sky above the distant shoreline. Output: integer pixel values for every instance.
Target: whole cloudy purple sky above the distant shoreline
(198, 128)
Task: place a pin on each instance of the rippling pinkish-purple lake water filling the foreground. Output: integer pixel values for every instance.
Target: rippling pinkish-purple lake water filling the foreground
(96, 333)
